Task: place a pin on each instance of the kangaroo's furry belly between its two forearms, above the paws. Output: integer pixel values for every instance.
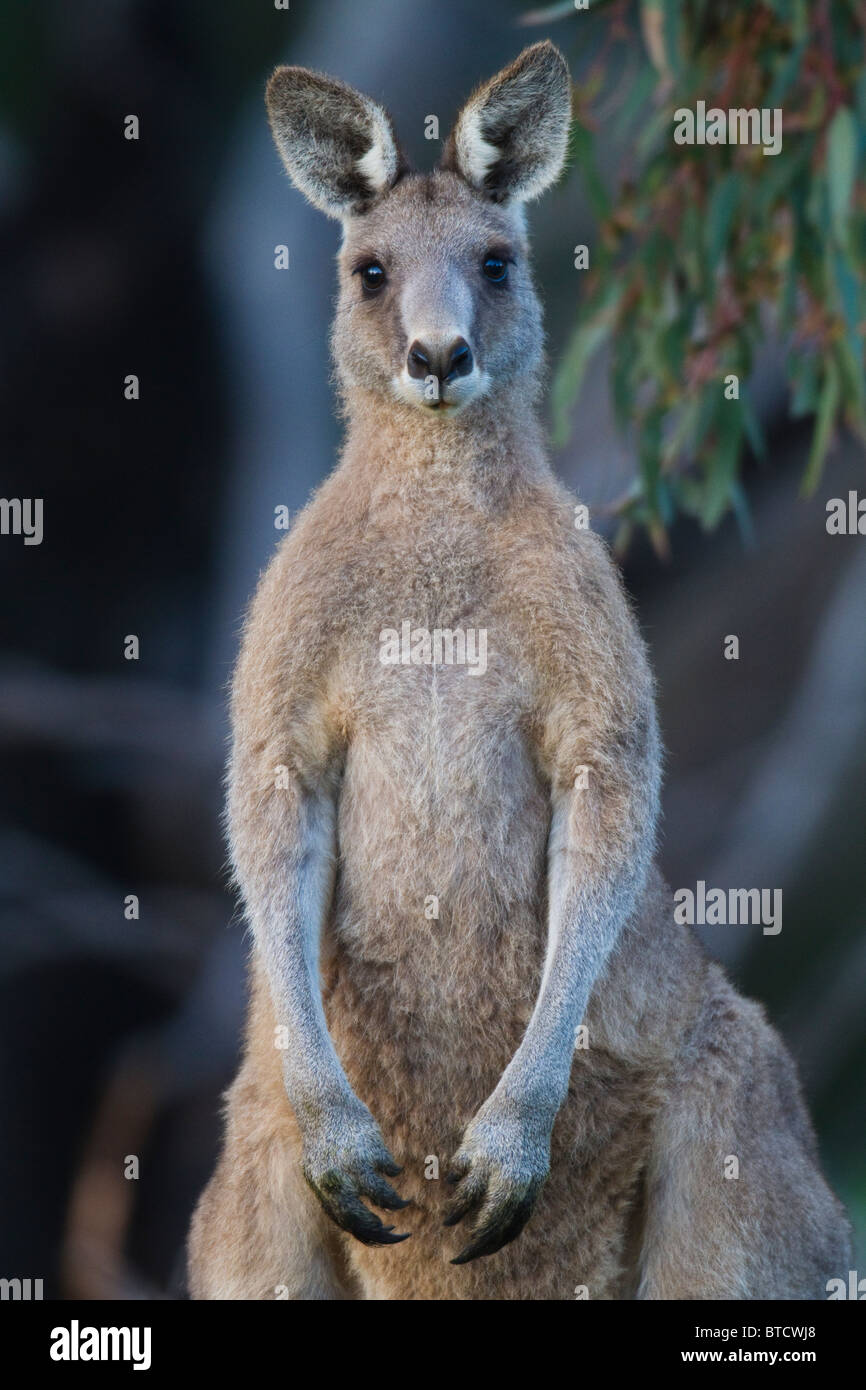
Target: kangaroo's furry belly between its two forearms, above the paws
(439, 928)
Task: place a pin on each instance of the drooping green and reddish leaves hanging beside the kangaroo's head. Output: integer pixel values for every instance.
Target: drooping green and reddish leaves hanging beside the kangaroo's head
(705, 250)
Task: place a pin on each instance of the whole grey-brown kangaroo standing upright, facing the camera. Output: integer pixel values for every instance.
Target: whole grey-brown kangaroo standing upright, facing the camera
(448, 865)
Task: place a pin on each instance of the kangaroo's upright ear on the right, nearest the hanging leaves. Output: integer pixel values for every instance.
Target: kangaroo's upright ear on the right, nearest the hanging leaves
(511, 137)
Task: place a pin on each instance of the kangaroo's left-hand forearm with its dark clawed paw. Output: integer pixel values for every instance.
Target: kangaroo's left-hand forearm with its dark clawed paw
(284, 846)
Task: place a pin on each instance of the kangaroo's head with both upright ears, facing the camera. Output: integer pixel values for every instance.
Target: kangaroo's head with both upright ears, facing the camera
(437, 305)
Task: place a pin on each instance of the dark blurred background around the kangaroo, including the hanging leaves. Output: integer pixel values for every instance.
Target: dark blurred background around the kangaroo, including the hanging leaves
(155, 258)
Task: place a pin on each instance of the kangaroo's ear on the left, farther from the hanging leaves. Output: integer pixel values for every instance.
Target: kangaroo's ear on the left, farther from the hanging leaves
(337, 145)
